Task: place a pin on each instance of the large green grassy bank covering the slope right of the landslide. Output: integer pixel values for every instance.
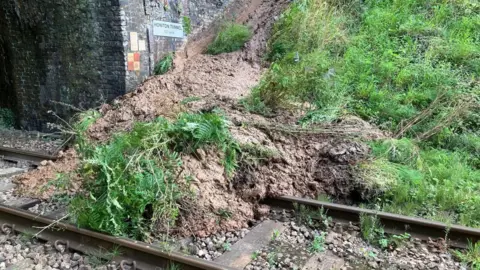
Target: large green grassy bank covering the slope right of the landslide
(410, 67)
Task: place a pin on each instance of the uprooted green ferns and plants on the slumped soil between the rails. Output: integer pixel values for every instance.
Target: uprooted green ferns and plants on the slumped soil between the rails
(132, 181)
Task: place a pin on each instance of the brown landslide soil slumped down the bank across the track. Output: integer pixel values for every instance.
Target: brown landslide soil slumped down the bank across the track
(307, 162)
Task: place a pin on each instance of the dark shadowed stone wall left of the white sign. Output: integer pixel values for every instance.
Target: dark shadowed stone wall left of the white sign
(61, 52)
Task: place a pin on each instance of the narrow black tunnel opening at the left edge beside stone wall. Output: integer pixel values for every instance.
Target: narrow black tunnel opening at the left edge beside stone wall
(8, 97)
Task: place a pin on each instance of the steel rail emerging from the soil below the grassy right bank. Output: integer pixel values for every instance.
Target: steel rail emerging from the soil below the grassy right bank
(458, 236)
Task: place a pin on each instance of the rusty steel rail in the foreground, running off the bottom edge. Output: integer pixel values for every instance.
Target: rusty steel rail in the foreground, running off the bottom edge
(132, 253)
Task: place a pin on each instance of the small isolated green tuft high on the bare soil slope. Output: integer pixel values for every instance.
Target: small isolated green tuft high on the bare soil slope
(231, 38)
